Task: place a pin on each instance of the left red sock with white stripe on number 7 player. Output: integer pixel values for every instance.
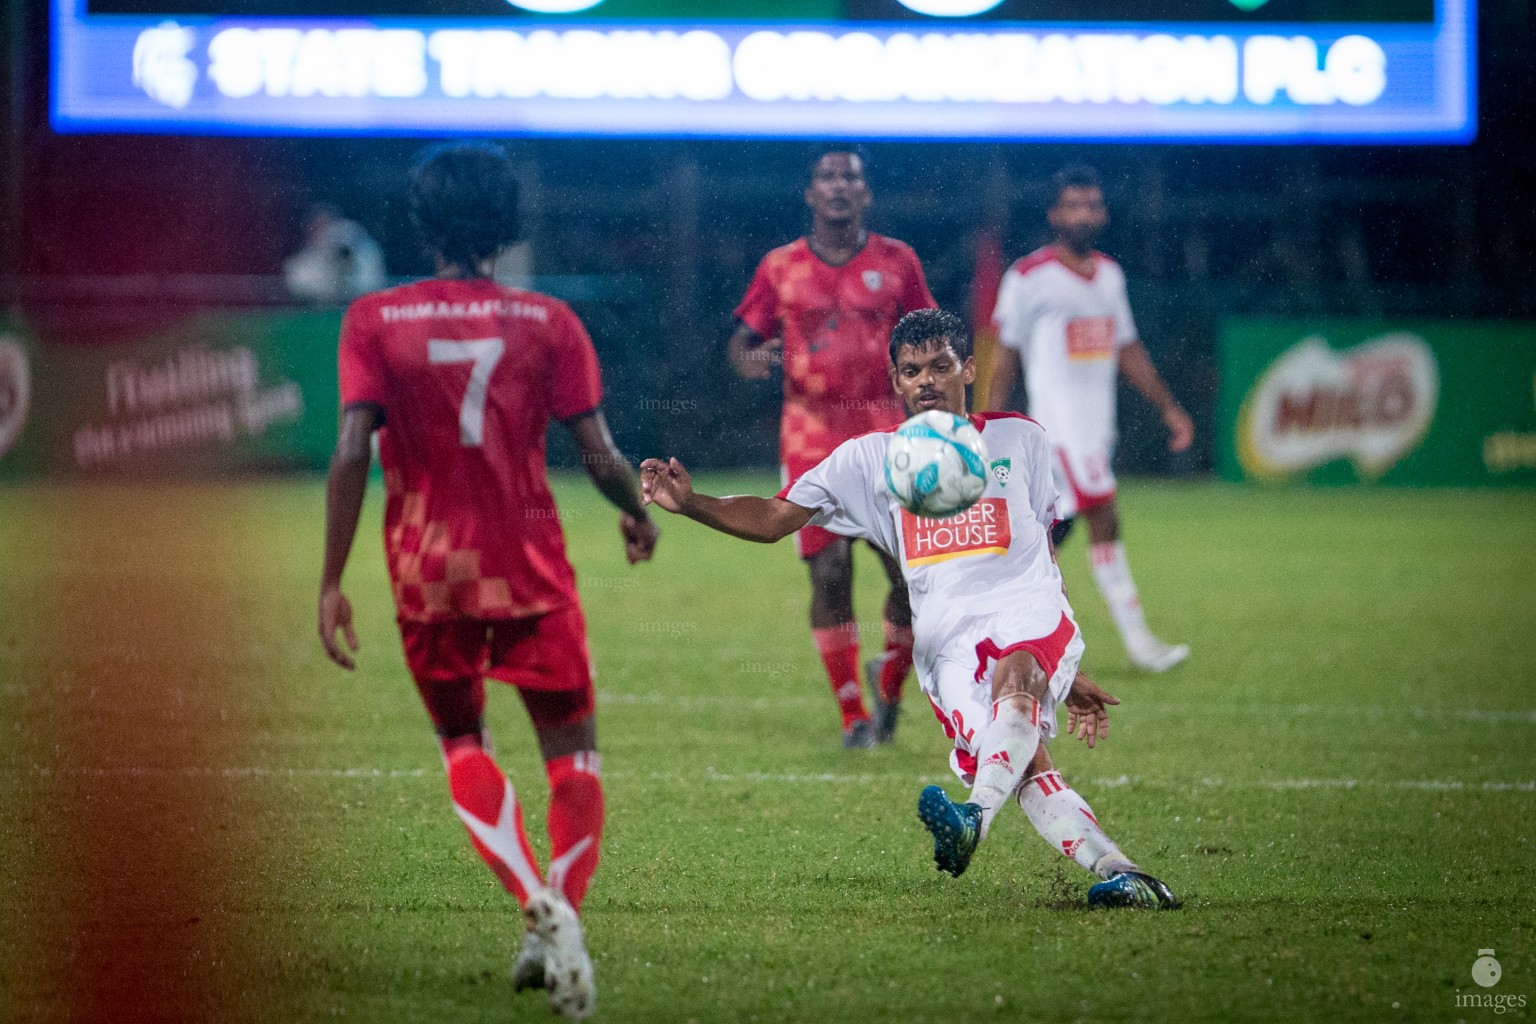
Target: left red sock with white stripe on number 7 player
(486, 804)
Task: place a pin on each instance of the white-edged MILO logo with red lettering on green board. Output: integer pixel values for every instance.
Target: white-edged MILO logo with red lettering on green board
(1371, 405)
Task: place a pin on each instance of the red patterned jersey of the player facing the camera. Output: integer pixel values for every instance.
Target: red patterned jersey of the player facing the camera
(836, 328)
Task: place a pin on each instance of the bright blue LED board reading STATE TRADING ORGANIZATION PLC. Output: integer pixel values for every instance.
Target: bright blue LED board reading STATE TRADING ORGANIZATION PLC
(1254, 71)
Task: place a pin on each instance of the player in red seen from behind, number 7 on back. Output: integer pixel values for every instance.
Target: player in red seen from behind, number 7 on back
(462, 377)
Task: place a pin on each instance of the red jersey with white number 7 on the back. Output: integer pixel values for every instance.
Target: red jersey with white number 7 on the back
(469, 375)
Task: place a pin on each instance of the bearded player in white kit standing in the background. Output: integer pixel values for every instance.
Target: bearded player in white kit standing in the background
(1064, 309)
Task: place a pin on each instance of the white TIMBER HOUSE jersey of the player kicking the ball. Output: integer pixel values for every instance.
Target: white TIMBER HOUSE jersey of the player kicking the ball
(990, 560)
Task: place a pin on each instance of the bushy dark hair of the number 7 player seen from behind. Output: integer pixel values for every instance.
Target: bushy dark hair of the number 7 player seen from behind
(465, 202)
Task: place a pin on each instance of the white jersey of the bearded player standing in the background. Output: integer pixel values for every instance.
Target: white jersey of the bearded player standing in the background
(1068, 331)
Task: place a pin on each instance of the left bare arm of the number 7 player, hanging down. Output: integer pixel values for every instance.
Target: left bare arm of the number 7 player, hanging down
(346, 483)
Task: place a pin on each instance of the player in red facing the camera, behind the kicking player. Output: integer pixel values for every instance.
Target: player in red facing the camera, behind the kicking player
(829, 302)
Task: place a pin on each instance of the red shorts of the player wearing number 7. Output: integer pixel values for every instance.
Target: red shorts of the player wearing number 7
(546, 659)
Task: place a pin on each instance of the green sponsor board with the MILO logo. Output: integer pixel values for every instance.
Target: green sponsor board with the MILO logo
(1343, 401)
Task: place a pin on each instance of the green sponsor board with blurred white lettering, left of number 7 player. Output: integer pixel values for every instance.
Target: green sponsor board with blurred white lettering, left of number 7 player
(214, 394)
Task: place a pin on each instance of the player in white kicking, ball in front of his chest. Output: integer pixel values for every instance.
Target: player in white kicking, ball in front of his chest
(998, 647)
